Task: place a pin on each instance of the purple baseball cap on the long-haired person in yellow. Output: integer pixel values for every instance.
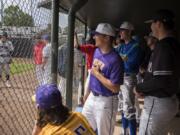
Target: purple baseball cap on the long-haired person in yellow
(48, 96)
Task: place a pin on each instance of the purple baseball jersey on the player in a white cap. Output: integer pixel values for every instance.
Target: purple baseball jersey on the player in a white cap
(111, 66)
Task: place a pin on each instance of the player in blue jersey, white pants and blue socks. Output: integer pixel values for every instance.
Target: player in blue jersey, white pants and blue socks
(131, 55)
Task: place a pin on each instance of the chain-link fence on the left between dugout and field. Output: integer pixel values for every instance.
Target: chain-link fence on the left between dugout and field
(23, 22)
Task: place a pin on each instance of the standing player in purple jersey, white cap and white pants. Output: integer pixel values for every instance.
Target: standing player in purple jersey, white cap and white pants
(106, 77)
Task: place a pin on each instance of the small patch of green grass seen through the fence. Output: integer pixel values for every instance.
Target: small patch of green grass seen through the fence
(17, 68)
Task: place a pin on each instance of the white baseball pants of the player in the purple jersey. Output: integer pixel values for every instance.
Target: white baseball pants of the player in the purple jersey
(101, 112)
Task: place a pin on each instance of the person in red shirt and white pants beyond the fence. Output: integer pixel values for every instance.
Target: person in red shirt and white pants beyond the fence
(37, 52)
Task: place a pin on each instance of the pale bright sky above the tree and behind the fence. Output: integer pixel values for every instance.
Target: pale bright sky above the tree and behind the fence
(41, 16)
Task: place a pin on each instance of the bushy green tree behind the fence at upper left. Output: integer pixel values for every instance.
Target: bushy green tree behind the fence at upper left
(14, 16)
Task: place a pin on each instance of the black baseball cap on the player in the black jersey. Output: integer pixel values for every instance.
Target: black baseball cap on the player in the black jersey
(163, 15)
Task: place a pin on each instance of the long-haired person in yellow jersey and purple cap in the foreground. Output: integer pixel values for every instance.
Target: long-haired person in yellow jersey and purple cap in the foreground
(54, 118)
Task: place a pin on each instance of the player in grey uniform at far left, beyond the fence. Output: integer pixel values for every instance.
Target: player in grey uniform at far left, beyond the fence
(6, 49)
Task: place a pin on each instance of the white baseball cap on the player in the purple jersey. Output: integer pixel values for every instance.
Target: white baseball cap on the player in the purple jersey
(106, 29)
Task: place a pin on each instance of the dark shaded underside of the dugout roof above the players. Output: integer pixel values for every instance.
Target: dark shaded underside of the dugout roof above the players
(117, 11)
